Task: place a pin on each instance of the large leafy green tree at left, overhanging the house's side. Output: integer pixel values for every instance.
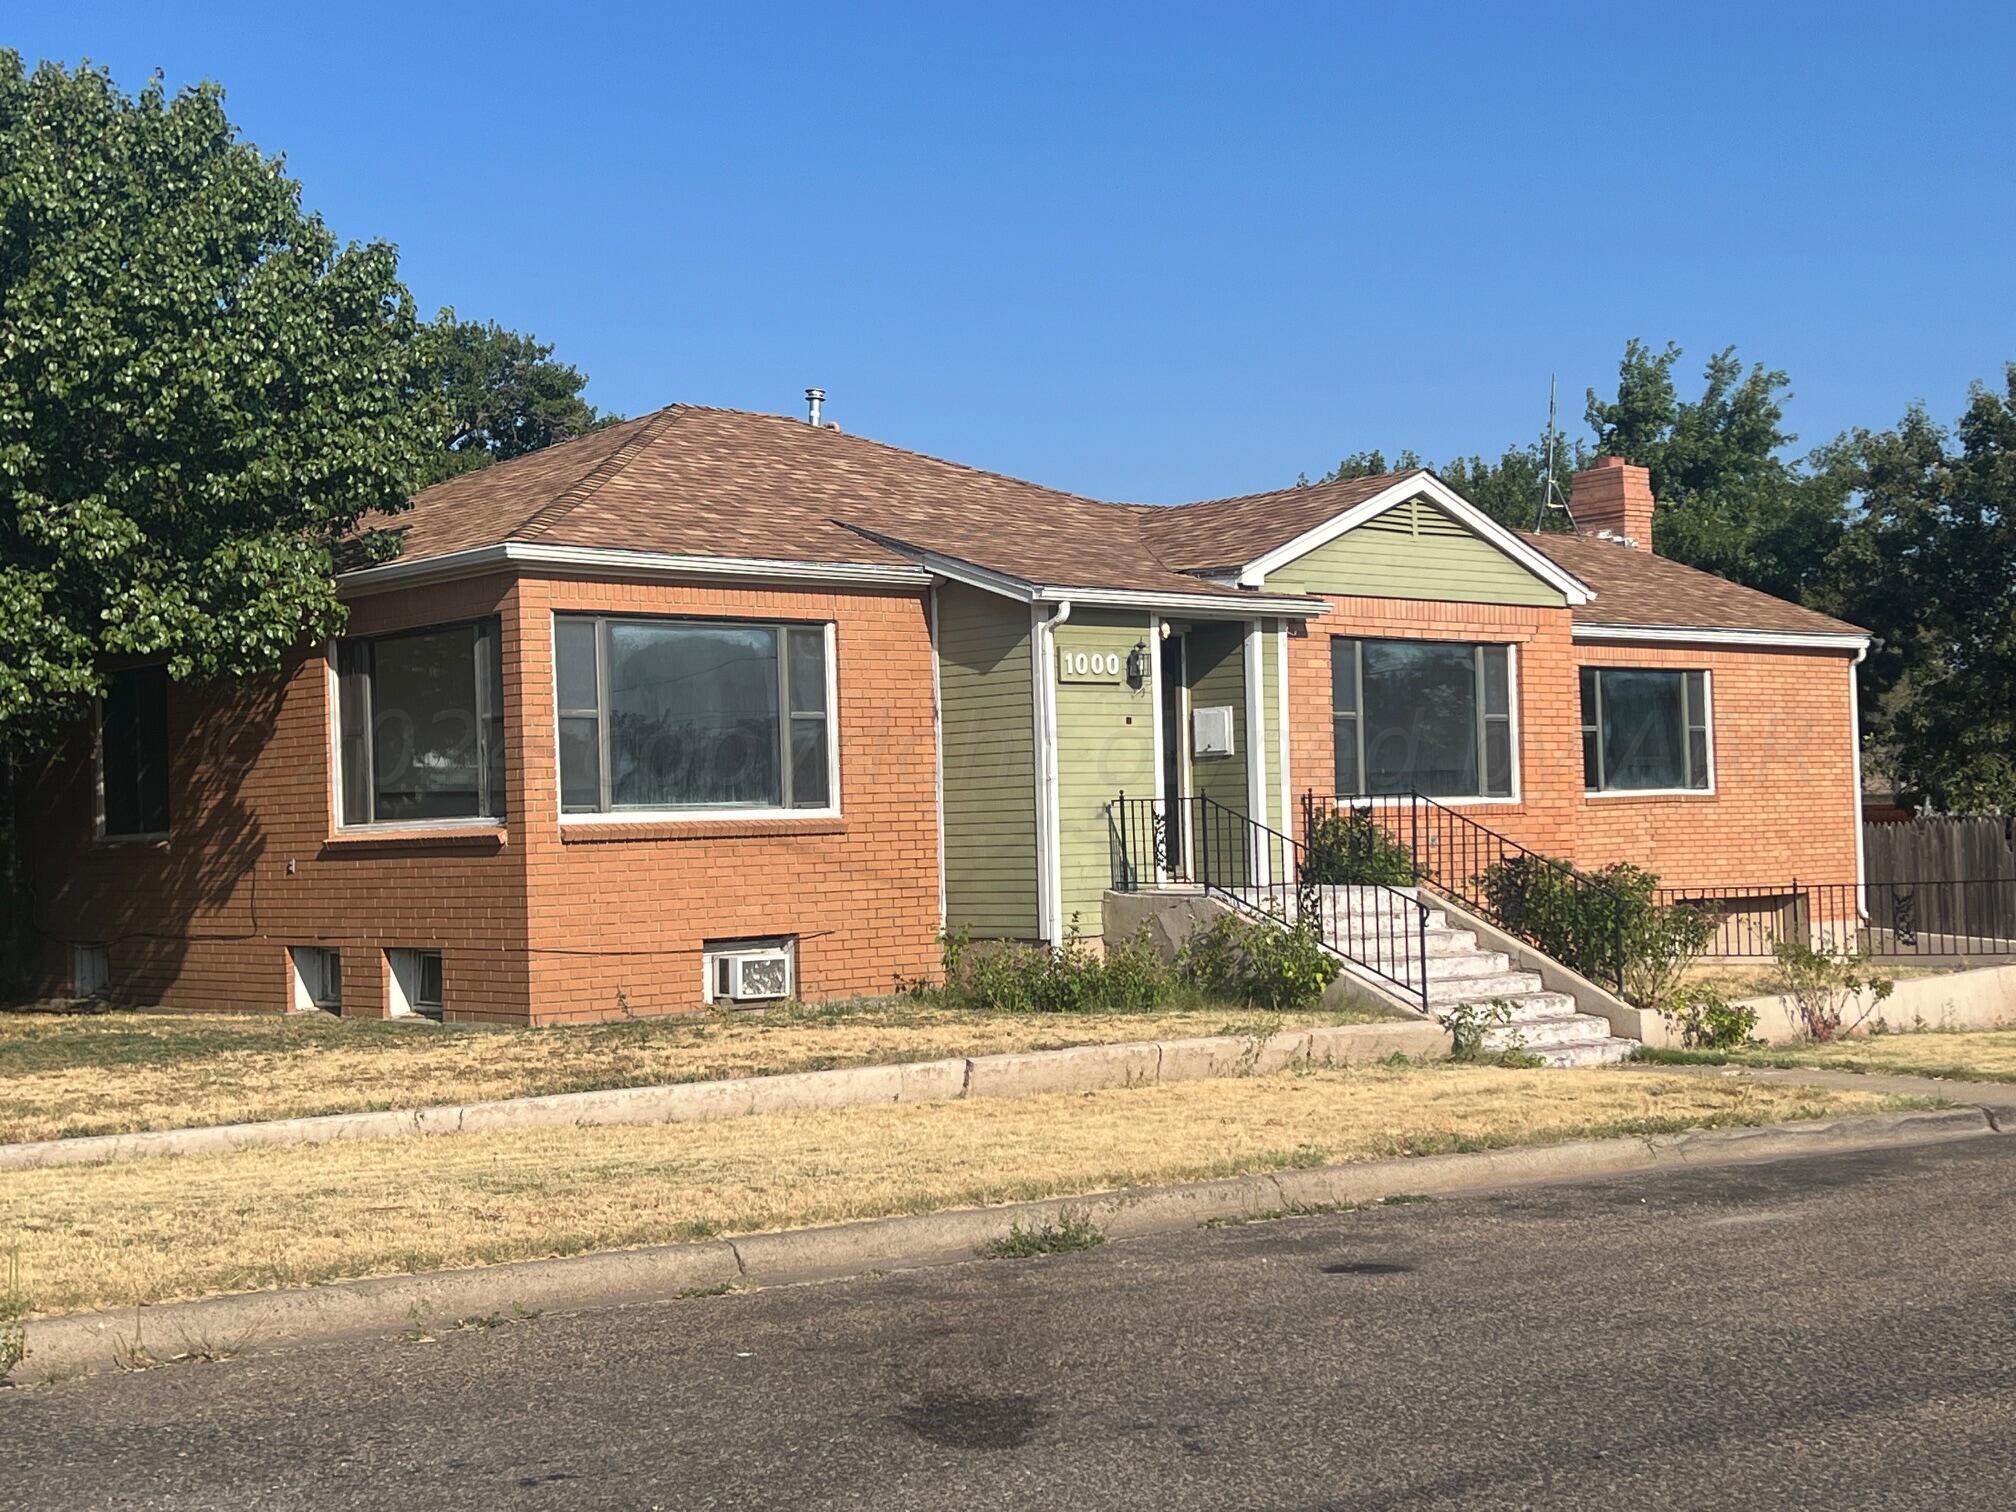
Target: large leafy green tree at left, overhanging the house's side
(201, 392)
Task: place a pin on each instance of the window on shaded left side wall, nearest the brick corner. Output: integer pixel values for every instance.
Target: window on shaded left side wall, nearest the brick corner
(420, 727)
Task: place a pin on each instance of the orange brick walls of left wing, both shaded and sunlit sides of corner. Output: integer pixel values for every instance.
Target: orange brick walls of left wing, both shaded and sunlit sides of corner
(533, 924)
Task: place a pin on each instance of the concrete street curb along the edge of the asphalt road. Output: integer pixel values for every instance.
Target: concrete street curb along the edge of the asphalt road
(229, 1326)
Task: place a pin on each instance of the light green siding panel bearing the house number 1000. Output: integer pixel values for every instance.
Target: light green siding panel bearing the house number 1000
(1106, 745)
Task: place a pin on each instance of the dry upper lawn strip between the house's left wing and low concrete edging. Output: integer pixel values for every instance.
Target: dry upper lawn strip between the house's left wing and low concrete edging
(68, 1076)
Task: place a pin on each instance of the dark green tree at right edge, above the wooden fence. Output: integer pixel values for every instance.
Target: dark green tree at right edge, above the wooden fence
(1930, 568)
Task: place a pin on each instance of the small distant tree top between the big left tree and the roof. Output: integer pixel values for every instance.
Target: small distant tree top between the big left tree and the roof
(505, 394)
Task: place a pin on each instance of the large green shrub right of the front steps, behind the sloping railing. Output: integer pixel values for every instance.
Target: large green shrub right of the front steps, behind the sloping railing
(1608, 926)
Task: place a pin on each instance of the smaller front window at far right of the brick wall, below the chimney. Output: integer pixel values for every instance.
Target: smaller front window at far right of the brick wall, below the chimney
(1646, 731)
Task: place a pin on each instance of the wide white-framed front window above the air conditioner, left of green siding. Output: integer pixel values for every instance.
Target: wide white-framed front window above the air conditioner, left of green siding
(668, 715)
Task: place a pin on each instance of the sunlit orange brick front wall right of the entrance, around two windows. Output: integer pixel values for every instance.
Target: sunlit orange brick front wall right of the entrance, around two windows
(1783, 749)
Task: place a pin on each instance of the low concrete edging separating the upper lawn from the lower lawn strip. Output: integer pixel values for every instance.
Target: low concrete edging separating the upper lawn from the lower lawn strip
(1082, 1069)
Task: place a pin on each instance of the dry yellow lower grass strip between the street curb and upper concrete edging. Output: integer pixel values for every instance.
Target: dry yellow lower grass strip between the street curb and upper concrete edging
(96, 1237)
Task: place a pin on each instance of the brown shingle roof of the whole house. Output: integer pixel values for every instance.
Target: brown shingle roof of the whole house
(727, 483)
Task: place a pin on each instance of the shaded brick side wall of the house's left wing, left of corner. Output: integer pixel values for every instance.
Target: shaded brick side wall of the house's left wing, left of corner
(253, 864)
